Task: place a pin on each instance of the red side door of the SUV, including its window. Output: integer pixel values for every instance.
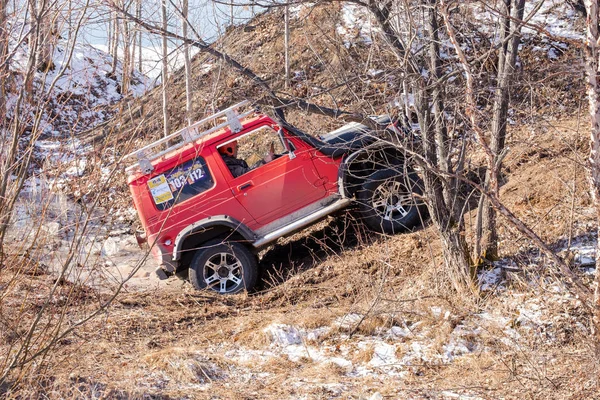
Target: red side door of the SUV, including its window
(271, 190)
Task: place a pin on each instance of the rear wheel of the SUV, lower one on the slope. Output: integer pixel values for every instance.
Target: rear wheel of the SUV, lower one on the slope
(225, 267)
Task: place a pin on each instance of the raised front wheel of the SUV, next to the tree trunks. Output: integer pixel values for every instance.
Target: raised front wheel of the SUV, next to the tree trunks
(390, 202)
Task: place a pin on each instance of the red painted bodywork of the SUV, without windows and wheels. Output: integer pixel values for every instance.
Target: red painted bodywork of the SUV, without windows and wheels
(255, 198)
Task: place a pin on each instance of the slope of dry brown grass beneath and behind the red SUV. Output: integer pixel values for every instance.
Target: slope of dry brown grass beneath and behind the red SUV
(175, 343)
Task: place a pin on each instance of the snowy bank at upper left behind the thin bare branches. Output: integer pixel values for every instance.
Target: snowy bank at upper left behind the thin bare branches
(74, 95)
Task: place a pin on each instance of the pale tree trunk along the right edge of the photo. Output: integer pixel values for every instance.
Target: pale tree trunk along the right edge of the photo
(593, 89)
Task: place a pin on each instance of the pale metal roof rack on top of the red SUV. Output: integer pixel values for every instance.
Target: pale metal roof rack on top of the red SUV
(146, 154)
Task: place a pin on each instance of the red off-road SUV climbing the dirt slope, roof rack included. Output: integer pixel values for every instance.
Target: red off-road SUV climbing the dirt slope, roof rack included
(227, 189)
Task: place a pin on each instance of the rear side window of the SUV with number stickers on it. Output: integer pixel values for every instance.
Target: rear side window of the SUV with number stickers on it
(180, 183)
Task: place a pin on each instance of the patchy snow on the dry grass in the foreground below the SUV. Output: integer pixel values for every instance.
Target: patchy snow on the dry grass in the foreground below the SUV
(348, 360)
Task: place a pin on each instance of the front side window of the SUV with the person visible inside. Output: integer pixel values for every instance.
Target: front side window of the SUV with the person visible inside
(252, 150)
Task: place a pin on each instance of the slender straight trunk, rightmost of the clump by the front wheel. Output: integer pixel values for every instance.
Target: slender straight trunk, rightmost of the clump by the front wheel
(487, 235)
